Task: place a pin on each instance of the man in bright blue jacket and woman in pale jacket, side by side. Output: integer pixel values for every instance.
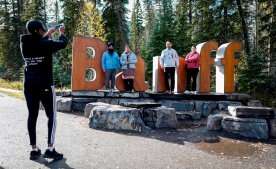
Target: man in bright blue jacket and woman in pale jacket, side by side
(111, 63)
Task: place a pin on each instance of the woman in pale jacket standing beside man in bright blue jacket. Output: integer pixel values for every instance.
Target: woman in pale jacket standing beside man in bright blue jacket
(128, 61)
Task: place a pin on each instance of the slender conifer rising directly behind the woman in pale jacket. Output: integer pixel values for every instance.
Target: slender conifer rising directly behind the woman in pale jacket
(136, 27)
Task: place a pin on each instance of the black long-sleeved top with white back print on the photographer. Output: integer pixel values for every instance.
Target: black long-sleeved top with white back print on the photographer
(37, 54)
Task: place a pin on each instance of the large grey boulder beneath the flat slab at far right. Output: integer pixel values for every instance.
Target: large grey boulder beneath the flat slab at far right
(246, 127)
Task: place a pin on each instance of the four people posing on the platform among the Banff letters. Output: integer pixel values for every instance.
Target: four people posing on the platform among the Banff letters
(169, 61)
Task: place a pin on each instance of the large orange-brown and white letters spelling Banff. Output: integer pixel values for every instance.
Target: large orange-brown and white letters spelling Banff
(88, 75)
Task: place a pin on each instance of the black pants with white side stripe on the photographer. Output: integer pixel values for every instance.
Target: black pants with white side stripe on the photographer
(45, 95)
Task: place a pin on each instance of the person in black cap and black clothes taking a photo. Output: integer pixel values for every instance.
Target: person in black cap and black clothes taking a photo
(37, 49)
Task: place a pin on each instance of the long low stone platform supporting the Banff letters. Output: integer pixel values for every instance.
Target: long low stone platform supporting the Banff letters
(80, 98)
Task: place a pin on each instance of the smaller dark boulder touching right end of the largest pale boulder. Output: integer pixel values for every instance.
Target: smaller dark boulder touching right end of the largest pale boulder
(162, 117)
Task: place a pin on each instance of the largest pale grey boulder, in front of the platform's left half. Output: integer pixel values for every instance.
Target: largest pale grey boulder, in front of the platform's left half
(114, 117)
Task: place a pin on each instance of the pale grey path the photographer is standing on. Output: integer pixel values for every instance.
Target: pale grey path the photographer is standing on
(85, 148)
